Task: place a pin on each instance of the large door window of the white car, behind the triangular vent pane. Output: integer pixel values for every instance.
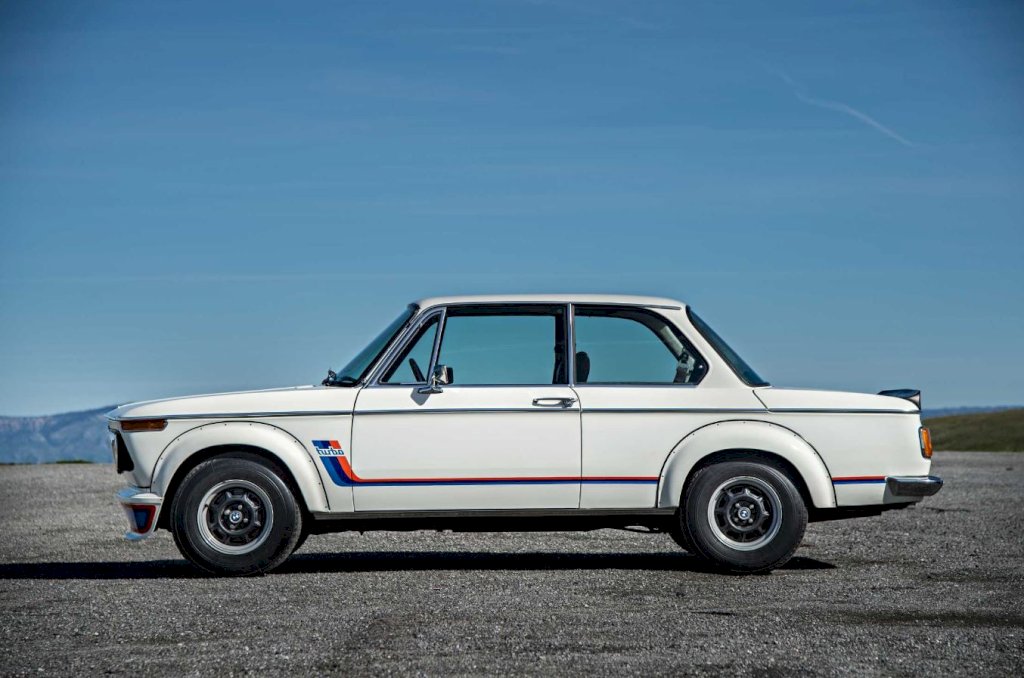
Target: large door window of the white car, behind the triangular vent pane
(505, 347)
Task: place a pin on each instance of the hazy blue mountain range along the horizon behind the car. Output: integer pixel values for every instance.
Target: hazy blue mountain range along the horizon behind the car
(82, 436)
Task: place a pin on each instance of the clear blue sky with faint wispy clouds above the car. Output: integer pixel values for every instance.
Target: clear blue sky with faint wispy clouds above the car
(200, 197)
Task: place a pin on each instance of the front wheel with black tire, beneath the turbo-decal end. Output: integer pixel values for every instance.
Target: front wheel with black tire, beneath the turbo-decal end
(236, 516)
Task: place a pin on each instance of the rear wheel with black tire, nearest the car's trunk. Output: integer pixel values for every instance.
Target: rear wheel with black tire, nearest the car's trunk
(743, 517)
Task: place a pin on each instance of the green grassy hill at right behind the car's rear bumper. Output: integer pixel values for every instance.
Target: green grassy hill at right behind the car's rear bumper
(989, 432)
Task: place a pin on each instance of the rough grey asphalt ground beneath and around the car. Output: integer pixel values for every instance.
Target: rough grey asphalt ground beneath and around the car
(936, 589)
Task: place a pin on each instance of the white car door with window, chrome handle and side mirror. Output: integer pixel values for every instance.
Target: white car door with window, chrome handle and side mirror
(503, 435)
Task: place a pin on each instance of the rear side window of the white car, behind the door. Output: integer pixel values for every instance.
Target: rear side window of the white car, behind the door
(620, 346)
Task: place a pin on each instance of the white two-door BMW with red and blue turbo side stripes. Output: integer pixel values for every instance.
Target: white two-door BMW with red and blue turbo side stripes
(519, 413)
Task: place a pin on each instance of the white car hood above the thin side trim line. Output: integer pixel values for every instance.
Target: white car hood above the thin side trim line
(295, 400)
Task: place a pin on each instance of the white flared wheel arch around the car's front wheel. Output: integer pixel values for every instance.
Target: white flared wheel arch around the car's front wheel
(279, 443)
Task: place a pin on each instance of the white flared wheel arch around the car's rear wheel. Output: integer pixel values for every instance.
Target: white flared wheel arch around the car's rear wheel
(753, 436)
